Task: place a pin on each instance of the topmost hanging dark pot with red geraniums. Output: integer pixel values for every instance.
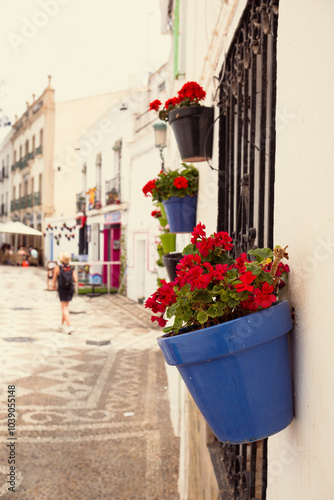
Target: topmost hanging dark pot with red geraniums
(192, 123)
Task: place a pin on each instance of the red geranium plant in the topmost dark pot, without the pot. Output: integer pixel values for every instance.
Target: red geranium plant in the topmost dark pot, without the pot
(190, 95)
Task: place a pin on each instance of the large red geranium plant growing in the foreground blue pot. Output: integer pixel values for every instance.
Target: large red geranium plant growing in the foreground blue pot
(211, 287)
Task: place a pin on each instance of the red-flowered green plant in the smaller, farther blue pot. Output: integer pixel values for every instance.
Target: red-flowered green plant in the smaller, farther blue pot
(180, 183)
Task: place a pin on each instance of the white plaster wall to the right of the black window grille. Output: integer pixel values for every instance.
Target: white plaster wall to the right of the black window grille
(300, 458)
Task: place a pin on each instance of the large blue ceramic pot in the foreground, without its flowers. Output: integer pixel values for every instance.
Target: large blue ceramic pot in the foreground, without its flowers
(238, 373)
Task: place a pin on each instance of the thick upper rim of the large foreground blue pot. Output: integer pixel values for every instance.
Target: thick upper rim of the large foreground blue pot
(228, 338)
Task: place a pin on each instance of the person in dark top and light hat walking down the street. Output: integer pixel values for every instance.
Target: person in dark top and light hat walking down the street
(66, 276)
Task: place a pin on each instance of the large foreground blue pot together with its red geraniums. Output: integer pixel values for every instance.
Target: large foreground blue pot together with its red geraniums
(229, 335)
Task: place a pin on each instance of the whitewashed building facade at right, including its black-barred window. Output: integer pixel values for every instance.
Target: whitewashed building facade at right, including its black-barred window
(272, 148)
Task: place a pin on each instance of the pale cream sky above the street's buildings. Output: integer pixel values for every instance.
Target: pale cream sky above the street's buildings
(89, 47)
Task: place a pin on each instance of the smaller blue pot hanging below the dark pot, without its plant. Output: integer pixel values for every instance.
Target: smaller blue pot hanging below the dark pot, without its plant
(181, 213)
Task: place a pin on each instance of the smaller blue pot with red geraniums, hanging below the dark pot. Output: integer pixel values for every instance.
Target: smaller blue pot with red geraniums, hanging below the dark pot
(177, 191)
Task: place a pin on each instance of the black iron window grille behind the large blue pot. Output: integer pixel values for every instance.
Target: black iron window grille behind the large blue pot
(247, 129)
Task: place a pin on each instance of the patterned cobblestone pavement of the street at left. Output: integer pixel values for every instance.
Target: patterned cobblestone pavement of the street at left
(91, 421)
